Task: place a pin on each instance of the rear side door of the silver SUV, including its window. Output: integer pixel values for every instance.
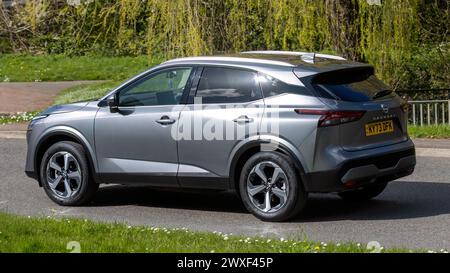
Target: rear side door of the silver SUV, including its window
(227, 108)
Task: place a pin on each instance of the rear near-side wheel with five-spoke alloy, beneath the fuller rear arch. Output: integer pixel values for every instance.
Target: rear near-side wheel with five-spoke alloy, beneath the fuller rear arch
(270, 187)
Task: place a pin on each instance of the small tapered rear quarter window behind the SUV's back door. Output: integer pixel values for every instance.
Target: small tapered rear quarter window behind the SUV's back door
(272, 87)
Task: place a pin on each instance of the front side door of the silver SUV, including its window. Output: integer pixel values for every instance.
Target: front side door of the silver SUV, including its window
(135, 142)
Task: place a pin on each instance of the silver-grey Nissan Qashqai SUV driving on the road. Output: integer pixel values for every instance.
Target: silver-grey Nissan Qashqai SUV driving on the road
(271, 125)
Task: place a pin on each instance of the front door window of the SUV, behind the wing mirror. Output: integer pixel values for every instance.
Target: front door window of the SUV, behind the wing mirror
(162, 88)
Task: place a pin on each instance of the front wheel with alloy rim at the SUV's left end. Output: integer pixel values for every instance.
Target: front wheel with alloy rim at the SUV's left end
(65, 174)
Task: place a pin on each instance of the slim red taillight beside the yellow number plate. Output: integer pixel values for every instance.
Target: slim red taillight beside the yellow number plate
(330, 118)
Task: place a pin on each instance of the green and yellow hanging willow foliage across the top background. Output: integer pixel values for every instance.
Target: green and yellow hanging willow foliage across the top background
(407, 41)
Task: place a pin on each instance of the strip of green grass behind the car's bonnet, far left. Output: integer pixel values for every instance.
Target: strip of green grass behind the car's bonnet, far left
(28, 68)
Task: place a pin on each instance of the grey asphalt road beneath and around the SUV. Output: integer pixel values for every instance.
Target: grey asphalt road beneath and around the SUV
(413, 212)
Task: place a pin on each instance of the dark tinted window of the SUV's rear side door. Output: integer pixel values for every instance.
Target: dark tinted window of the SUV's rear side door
(226, 85)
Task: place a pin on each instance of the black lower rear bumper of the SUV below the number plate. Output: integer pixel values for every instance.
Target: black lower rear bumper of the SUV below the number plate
(360, 171)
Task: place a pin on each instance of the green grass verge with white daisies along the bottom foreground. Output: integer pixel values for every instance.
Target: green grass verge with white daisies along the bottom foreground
(22, 234)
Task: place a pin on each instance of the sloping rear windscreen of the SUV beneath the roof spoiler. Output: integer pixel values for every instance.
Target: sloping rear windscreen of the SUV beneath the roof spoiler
(355, 86)
